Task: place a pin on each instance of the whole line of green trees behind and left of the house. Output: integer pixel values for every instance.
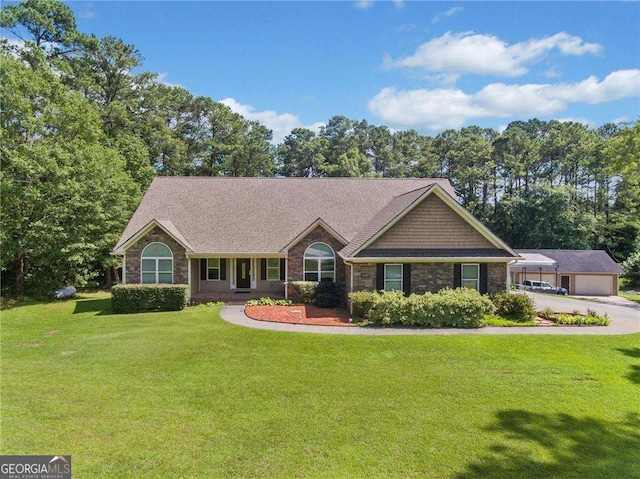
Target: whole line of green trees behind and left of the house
(85, 129)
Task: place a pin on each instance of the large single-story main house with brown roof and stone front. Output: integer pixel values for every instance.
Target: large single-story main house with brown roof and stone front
(250, 235)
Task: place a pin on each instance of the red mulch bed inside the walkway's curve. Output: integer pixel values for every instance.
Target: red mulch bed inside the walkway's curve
(299, 314)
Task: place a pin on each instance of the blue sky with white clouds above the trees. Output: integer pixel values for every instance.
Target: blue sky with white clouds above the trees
(427, 66)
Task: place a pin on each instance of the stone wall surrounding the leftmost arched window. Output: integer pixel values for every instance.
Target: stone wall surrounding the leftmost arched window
(156, 235)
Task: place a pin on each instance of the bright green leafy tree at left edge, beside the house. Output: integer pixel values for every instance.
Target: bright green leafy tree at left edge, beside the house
(66, 193)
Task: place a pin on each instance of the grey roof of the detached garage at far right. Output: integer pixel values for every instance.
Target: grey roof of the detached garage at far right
(576, 261)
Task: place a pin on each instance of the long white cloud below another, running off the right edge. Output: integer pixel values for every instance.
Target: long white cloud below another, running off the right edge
(442, 108)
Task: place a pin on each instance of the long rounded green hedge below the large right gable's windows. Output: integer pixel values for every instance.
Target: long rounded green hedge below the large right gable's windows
(448, 308)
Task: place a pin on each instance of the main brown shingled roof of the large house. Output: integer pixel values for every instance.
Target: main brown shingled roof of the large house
(265, 215)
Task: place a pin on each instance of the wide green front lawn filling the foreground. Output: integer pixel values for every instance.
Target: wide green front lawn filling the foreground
(189, 395)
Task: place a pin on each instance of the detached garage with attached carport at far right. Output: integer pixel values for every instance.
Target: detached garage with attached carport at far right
(581, 272)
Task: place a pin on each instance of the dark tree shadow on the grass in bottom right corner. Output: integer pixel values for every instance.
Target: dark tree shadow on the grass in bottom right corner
(575, 447)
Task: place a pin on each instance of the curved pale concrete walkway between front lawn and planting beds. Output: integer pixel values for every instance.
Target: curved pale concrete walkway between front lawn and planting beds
(234, 313)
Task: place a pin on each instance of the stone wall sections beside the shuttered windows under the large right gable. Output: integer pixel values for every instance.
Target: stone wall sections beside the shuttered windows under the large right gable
(429, 277)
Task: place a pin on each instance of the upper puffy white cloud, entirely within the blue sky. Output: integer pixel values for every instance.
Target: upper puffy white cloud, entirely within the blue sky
(488, 55)
